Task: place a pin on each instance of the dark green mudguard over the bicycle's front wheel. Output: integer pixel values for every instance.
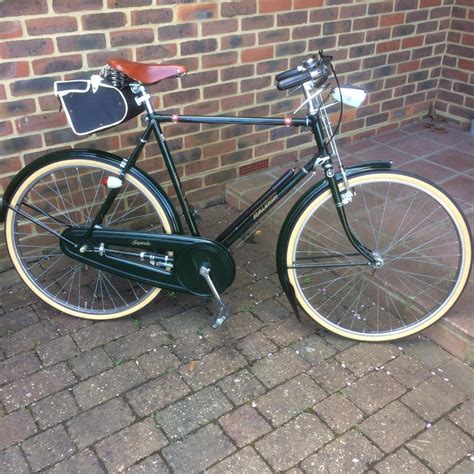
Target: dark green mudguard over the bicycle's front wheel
(294, 213)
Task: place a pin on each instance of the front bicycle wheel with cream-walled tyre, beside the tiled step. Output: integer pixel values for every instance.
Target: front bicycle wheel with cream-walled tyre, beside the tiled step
(421, 242)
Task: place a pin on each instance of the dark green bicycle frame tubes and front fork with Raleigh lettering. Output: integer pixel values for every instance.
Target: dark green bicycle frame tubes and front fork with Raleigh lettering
(265, 202)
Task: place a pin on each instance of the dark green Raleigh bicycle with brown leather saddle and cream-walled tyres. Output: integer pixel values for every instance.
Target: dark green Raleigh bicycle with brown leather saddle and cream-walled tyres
(368, 252)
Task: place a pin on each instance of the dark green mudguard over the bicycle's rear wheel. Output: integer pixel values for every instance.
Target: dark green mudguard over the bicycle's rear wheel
(94, 155)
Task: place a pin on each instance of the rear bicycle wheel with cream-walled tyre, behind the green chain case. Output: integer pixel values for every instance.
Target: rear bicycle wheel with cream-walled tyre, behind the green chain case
(64, 194)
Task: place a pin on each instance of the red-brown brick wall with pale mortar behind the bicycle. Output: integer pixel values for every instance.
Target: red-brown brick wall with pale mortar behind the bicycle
(400, 50)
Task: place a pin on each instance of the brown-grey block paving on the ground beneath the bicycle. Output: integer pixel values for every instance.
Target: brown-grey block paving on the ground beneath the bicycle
(162, 392)
